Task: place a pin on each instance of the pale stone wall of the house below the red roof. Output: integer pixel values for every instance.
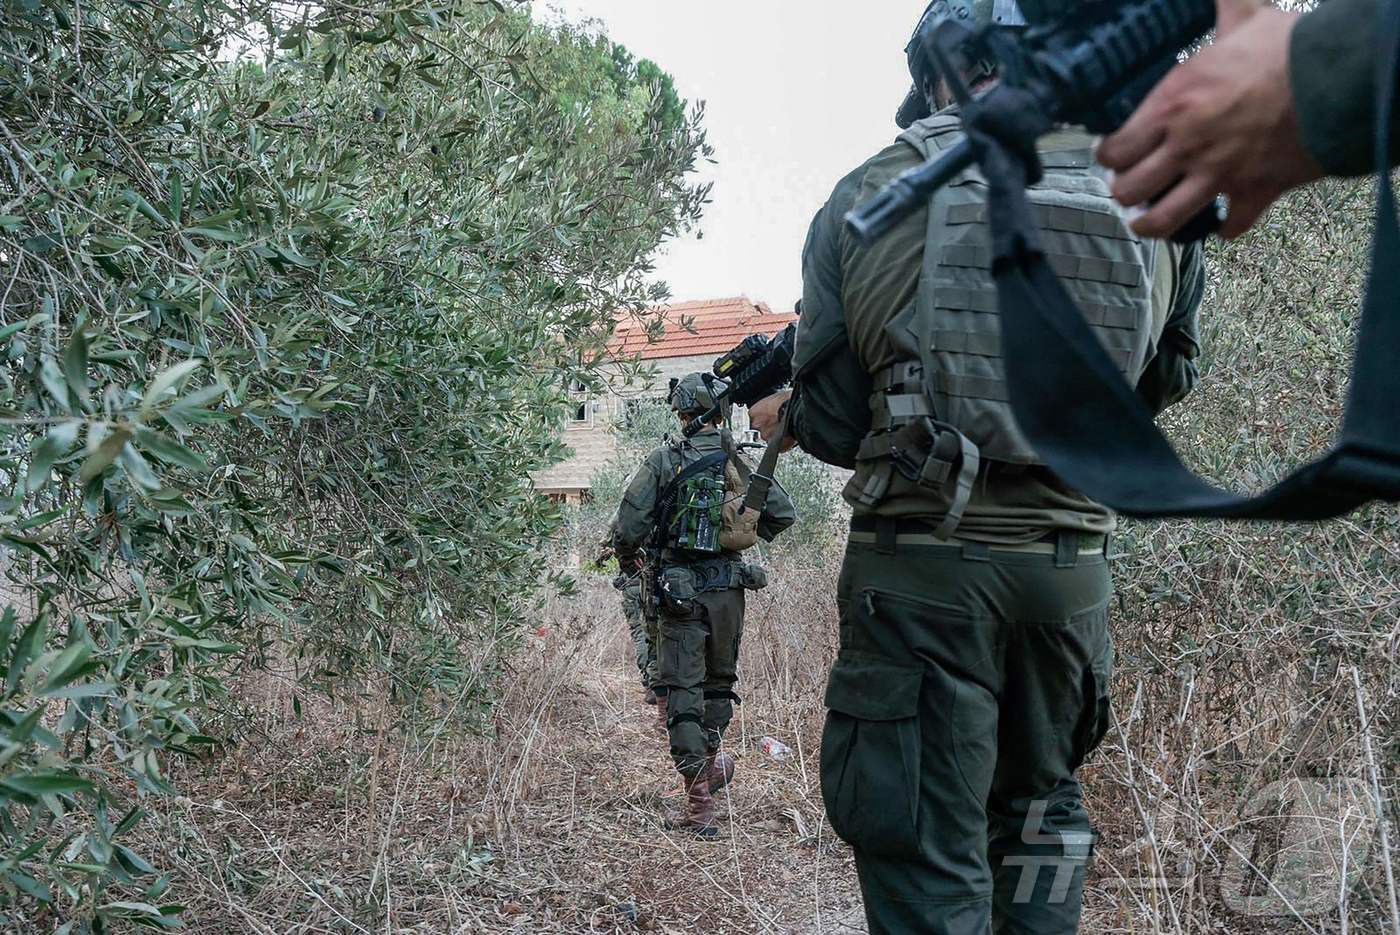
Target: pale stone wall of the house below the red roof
(591, 440)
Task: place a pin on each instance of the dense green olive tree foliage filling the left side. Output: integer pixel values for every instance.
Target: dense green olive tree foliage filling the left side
(290, 302)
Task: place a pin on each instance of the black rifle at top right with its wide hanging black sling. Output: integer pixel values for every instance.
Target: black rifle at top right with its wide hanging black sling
(1084, 421)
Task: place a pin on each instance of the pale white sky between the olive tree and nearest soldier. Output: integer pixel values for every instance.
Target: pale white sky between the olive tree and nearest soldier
(797, 94)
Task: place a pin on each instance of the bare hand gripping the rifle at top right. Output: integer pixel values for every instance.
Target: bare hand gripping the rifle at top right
(1223, 122)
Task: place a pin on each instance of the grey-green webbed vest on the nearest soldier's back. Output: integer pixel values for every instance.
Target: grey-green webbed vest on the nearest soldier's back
(958, 317)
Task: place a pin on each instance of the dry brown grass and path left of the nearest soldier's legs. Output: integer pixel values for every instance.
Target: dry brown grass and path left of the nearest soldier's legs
(341, 822)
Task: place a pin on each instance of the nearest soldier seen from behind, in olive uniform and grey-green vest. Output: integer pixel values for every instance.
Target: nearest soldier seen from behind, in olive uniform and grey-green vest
(974, 670)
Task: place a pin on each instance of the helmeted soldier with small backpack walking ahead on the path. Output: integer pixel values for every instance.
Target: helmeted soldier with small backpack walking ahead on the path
(681, 509)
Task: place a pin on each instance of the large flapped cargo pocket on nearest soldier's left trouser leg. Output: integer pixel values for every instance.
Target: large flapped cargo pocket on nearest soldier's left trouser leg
(871, 755)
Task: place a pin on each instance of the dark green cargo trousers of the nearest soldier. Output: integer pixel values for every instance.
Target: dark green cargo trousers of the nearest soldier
(969, 688)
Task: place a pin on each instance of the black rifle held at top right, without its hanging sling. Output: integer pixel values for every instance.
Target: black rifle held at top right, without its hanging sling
(1091, 69)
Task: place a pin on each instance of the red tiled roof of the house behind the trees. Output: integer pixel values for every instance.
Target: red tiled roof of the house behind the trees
(717, 327)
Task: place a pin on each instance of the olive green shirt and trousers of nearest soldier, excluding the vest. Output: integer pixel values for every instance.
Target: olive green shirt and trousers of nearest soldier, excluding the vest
(974, 673)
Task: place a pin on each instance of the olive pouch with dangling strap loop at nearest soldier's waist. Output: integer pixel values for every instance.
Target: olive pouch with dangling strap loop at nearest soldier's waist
(909, 443)
